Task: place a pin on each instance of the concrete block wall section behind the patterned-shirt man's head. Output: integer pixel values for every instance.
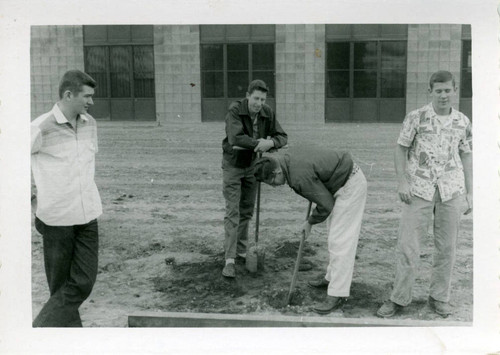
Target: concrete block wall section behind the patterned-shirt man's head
(431, 47)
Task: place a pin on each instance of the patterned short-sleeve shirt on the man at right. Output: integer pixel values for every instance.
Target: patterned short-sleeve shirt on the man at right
(434, 152)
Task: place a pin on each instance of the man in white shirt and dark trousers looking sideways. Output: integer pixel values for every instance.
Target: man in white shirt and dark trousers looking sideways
(63, 147)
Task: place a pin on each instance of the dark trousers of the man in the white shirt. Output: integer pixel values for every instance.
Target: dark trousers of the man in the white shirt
(70, 257)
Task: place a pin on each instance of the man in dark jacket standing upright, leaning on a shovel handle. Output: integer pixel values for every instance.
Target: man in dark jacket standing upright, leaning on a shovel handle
(252, 126)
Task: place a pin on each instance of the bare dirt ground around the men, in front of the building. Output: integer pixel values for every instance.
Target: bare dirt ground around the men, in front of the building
(161, 232)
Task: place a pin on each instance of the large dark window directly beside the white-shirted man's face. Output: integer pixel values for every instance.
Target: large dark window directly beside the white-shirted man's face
(121, 59)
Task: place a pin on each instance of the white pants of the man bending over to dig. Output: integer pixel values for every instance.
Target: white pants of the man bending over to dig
(343, 226)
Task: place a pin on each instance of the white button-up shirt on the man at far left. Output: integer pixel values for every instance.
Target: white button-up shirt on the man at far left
(63, 165)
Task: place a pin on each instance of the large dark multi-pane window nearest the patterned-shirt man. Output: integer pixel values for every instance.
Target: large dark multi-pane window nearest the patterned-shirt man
(365, 72)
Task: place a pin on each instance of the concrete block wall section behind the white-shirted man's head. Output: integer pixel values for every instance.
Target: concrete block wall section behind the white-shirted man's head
(54, 50)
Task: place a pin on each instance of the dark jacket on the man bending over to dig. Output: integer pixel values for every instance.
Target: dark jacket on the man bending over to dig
(317, 174)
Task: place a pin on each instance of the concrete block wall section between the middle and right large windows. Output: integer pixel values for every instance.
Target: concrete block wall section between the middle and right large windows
(300, 73)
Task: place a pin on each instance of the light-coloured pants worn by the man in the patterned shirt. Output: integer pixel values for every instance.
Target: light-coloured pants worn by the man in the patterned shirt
(413, 226)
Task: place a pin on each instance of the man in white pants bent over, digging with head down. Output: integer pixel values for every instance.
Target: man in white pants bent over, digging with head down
(338, 187)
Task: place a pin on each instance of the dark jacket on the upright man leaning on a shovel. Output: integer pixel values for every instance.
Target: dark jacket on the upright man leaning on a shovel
(239, 132)
